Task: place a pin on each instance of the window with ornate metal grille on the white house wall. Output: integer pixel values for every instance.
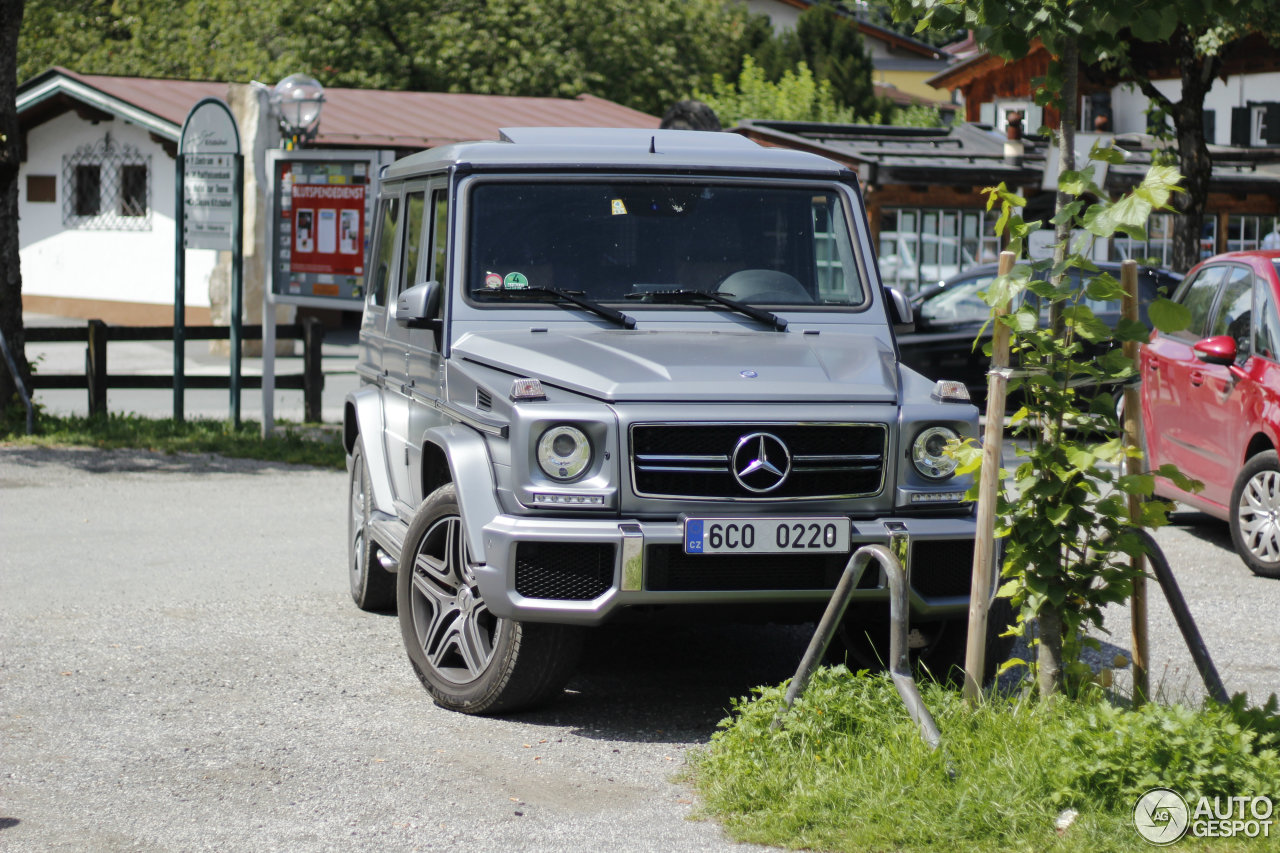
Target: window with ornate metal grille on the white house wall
(107, 188)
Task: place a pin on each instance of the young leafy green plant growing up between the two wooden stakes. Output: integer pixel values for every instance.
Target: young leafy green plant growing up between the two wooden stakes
(1066, 516)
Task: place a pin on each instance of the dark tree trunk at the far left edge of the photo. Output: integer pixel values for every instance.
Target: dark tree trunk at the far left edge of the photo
(11, 142)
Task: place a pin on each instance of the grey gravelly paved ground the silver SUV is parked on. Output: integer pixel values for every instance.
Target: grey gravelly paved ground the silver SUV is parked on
(181, 669)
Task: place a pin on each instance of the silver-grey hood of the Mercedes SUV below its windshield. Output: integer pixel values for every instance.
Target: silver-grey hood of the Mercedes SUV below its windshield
(616, 366)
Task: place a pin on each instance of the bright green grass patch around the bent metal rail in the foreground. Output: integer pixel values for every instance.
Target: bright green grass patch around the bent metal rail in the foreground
(849, 770)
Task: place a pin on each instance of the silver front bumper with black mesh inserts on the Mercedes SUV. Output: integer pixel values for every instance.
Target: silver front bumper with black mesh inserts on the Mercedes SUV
(580, 571)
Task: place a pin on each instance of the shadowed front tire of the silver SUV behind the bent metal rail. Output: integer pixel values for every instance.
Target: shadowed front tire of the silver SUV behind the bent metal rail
(863, 641)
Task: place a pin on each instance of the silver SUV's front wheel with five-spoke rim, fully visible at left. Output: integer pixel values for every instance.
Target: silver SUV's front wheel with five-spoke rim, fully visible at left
(468, 659)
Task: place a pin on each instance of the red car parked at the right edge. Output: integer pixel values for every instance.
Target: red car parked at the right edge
(1212, 400)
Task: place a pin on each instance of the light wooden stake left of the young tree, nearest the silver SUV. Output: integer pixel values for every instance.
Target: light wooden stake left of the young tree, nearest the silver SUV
(985, 544)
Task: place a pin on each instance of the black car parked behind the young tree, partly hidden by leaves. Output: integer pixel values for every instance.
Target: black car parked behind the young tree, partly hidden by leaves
(950, 316)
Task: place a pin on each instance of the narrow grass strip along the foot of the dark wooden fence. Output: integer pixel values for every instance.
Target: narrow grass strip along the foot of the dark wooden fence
(294, 444)
